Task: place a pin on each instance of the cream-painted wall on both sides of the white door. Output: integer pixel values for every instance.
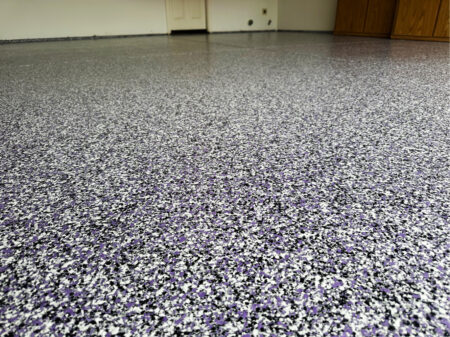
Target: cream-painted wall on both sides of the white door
(29, 19)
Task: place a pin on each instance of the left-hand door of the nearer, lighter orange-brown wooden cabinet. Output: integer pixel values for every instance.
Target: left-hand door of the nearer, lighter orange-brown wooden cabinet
(416, 17)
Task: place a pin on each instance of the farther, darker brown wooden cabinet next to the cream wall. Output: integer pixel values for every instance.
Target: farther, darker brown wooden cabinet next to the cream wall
(365, 17)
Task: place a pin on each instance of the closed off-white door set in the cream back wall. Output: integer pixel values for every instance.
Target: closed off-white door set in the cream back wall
(186, 14)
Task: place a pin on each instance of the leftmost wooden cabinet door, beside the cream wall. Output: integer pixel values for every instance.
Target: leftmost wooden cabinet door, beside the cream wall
(350, 16)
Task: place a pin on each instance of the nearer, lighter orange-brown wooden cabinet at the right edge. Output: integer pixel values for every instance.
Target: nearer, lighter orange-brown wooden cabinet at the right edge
(421, 20)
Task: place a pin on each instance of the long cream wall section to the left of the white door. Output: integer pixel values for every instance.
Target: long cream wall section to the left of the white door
(28, 19)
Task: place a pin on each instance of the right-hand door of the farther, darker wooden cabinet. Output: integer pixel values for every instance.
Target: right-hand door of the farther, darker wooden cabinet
(380, 16)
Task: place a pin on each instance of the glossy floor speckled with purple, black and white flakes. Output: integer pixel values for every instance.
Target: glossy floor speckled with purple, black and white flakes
(232, 185)
